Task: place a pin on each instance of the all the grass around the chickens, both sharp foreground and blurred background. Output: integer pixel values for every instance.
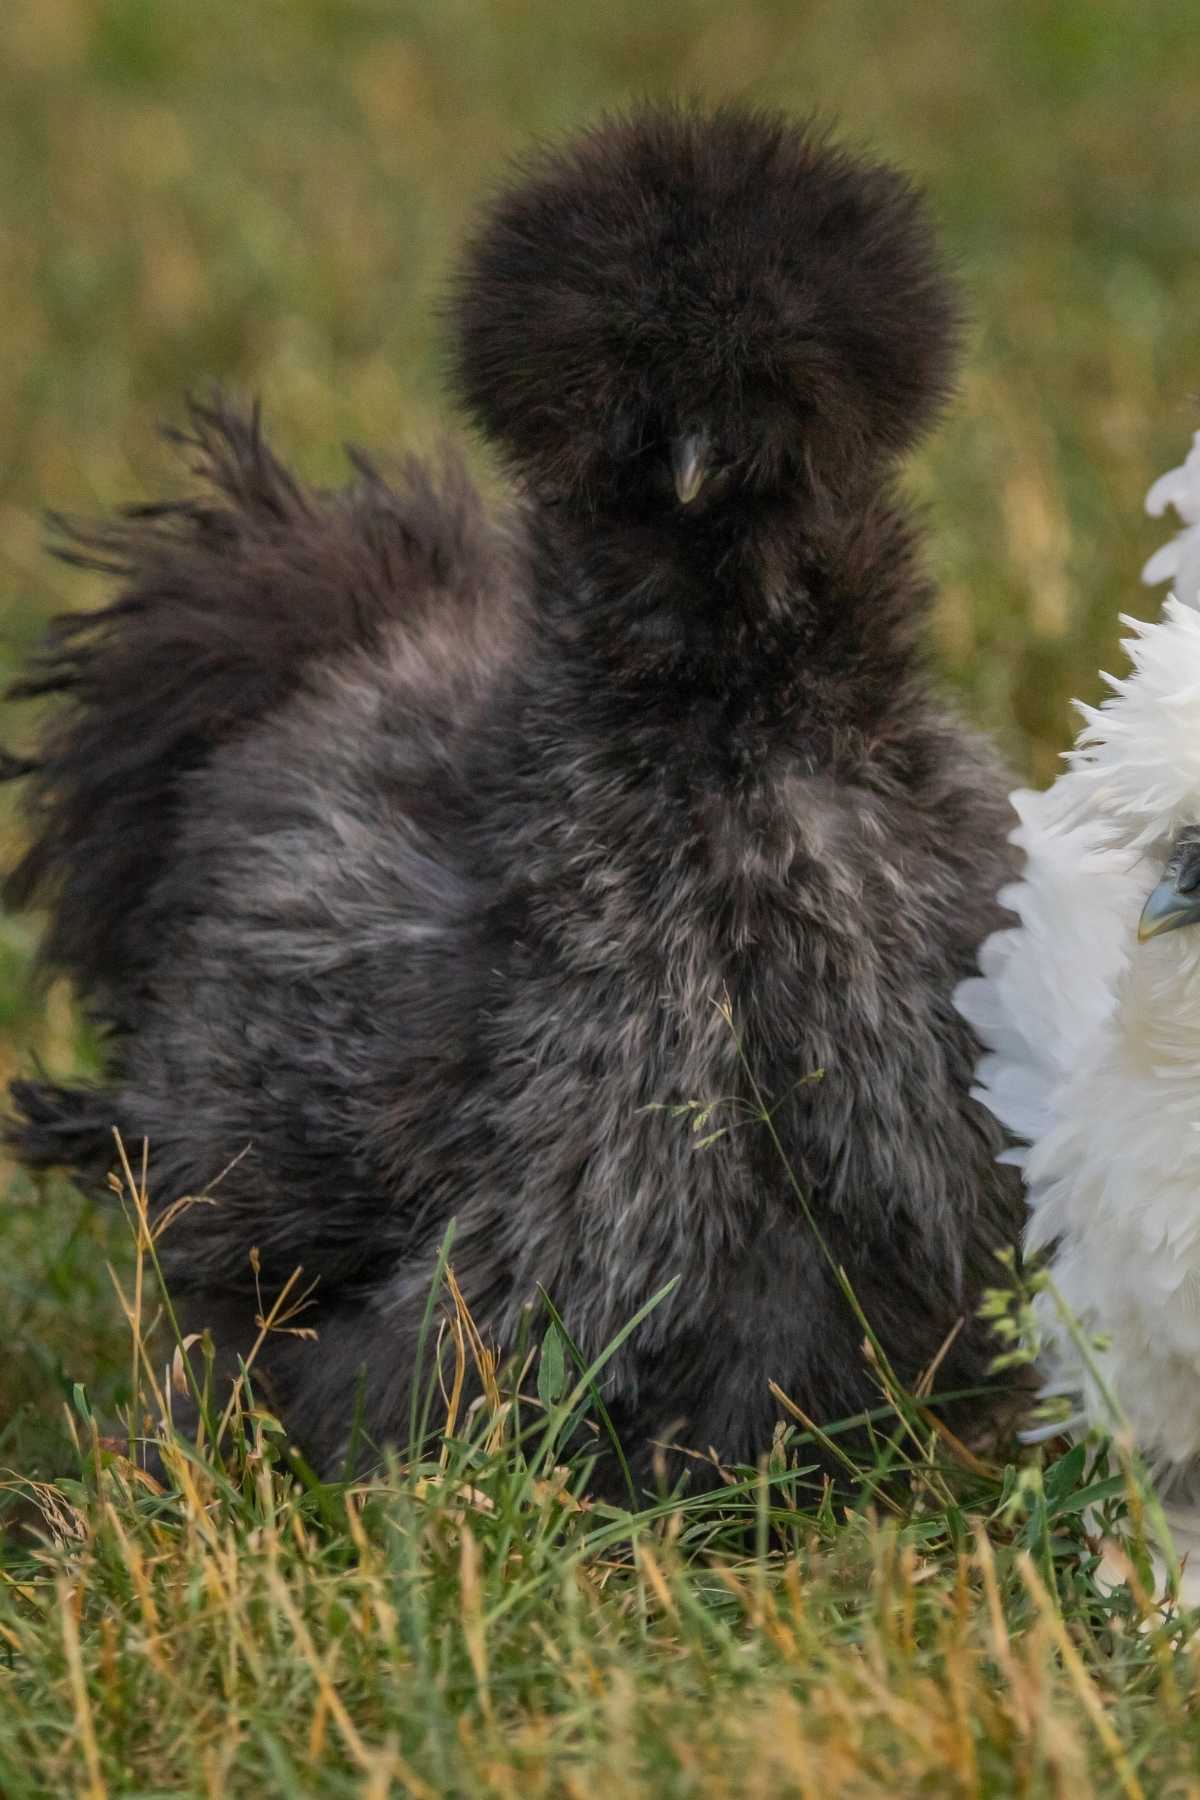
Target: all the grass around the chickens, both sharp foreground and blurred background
(271, 195)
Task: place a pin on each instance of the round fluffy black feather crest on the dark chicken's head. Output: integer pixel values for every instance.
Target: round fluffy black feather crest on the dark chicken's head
(728, 273)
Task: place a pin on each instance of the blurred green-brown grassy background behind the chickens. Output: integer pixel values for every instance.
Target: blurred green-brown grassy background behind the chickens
(271, 193)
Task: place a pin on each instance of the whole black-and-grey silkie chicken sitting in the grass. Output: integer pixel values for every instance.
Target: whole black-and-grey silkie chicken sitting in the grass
(409, 854)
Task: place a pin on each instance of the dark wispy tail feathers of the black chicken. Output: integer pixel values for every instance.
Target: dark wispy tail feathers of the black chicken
(228, 602)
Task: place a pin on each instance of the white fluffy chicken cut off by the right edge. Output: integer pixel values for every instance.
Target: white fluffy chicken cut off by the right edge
(1089, 1011)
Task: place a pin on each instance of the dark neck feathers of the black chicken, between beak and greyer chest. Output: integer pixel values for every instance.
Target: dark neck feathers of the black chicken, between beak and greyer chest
(787, 631)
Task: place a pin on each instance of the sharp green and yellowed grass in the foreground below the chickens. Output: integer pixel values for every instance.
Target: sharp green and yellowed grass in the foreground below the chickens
(469, 1623)
